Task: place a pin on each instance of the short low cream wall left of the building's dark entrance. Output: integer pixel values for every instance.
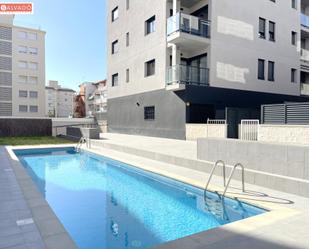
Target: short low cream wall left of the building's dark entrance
(195, 131)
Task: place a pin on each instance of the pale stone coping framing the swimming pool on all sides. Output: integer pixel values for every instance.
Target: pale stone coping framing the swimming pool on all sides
(276, 211)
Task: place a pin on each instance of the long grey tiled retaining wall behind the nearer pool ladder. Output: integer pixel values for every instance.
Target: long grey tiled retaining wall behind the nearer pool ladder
(279, 166)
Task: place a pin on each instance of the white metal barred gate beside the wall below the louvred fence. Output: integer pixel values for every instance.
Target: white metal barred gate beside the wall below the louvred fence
(249, 130)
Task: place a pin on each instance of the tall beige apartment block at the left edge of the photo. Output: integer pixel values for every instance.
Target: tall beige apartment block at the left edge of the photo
(22, 70)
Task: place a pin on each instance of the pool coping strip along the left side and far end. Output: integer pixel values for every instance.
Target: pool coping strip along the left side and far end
(53, 233)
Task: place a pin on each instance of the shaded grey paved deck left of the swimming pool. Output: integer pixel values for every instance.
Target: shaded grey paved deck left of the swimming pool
(26, 220)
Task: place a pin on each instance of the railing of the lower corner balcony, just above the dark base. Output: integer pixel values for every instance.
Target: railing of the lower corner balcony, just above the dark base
(188, 75)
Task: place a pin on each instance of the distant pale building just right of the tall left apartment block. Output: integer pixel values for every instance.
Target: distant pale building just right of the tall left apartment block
(59, 100)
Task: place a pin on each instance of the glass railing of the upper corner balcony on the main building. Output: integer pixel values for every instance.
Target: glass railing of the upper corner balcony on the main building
(188, 24)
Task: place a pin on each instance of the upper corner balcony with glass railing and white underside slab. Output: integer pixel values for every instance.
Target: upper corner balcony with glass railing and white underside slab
(187, 30)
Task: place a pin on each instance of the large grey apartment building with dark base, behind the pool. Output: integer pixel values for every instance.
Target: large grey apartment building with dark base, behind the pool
(173, 62)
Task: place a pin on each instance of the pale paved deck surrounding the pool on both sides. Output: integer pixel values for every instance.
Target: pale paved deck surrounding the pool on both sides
(286, 226)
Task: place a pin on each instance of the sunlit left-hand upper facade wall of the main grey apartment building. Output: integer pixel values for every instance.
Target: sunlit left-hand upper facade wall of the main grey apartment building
(142, 48)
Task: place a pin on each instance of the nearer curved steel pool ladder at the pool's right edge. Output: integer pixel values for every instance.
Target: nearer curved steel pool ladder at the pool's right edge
(225, 184)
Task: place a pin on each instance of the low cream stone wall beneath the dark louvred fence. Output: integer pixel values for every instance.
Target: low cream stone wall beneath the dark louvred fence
(298, 134)
